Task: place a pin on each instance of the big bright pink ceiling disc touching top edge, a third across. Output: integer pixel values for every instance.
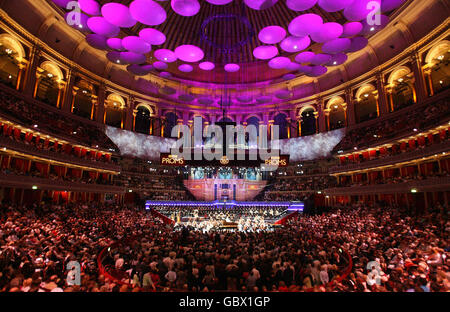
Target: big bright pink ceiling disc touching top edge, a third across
(147, 12)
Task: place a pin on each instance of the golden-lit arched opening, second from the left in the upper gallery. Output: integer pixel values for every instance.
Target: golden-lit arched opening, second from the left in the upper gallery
(49, 84)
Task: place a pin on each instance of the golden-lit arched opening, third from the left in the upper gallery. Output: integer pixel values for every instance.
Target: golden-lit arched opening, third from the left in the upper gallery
(84, 99)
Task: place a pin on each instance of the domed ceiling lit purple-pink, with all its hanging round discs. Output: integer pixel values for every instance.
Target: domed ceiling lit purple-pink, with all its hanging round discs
(228, 41)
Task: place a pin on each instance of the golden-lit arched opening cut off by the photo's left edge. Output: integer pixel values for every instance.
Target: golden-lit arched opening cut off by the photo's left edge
(11, 56)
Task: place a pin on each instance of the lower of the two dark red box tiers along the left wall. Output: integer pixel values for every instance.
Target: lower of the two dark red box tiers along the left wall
(23, 181)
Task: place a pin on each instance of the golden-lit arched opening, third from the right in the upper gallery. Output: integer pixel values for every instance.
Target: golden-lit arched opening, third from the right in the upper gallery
(366, 106)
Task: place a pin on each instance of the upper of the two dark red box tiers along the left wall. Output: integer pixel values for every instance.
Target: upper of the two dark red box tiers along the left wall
(51, 155)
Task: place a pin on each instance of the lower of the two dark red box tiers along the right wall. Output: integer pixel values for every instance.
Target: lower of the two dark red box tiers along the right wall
(427, 185)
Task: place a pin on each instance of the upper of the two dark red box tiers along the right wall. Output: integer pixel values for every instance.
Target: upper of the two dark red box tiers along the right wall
(389, 160)
